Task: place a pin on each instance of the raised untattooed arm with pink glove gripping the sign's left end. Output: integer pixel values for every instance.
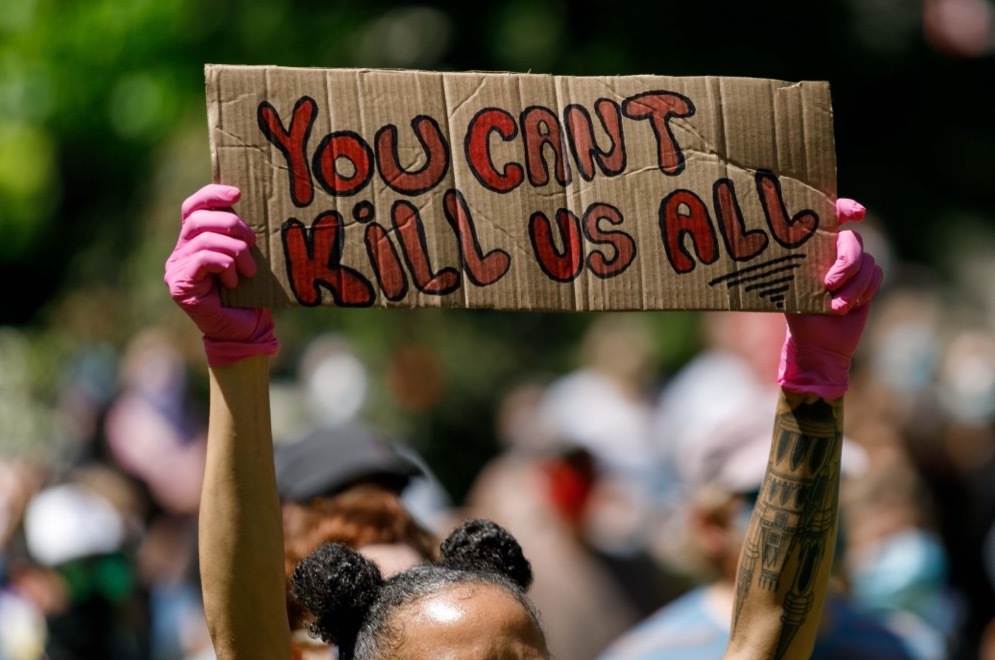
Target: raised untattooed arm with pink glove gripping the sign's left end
(240, 532)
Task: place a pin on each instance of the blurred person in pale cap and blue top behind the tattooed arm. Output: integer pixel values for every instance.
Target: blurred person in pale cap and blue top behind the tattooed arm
(721, 473)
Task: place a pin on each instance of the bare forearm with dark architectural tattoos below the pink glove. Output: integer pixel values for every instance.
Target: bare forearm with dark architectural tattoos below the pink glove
(786, 557)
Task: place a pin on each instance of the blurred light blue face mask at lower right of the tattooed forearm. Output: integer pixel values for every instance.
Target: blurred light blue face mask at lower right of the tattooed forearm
(907, 571)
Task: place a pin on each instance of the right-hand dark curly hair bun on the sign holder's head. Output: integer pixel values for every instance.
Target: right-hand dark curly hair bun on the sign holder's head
(482, 545)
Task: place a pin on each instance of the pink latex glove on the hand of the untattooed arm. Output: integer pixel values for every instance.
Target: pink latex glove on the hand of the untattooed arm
(213, 247)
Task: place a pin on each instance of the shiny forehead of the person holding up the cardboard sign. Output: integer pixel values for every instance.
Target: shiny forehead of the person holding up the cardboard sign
(468, 622)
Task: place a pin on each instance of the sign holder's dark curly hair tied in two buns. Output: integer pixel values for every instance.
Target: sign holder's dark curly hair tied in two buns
(351, 604)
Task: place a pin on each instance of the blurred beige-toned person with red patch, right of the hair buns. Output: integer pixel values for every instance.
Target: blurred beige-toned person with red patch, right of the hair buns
(539, 489)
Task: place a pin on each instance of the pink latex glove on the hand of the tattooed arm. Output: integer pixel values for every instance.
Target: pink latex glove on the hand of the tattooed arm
(815, 358)
